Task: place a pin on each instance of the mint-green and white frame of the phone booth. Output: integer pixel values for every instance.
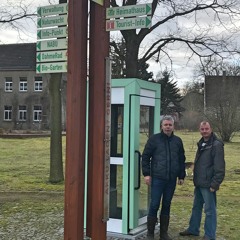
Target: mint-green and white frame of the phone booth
(131, 94)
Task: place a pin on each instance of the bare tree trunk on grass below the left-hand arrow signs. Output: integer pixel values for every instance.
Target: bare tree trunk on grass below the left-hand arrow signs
(56, 164)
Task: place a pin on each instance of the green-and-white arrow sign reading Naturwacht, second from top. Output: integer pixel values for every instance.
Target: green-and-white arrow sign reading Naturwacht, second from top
(52, 21)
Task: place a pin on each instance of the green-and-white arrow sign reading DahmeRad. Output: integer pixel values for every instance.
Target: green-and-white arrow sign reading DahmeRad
(52, 56)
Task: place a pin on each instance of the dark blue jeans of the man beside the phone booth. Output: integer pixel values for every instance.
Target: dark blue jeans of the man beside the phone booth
(161, 189)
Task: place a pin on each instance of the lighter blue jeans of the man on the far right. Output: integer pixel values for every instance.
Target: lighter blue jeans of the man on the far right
(203, 197)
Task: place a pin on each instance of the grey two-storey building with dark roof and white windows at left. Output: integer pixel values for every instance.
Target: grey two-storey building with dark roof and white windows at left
(24, 99)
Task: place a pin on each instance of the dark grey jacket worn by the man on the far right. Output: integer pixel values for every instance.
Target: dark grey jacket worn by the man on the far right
(209, 165)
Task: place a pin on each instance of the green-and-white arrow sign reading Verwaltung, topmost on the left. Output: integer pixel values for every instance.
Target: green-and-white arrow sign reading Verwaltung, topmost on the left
(52, 10)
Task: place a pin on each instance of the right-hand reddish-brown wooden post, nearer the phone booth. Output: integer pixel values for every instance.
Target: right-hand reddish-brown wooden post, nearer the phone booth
(99, 50)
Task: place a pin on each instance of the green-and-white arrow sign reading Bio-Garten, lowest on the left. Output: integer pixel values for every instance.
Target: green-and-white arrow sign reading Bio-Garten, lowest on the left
(51, 67)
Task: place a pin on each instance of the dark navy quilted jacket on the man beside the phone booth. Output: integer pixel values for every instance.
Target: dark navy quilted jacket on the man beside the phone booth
(163, 157)
